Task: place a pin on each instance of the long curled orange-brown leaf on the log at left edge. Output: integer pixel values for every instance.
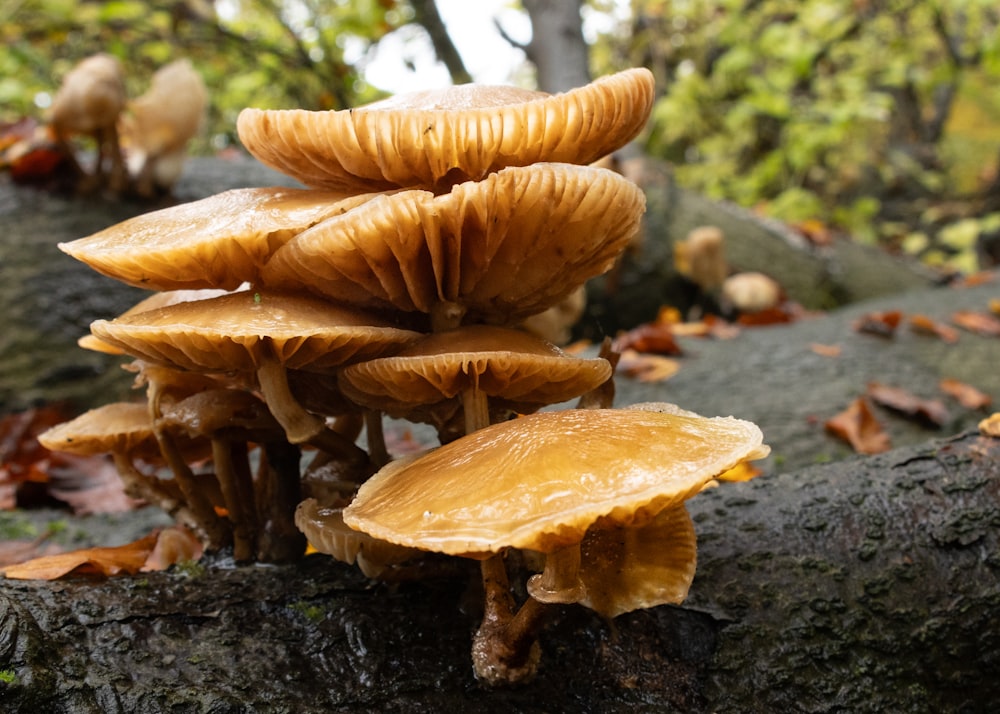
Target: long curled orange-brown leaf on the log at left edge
(107, 561)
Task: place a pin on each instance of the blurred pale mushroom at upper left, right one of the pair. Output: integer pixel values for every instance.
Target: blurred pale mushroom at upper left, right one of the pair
(158, 125)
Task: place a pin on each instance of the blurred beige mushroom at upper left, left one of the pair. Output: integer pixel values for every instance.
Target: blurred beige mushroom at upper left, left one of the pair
(89, 102)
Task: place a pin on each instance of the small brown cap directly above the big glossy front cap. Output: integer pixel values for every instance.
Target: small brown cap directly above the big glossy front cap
(523, 370)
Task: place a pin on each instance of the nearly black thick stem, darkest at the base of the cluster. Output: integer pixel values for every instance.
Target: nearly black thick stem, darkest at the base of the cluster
(280, 492)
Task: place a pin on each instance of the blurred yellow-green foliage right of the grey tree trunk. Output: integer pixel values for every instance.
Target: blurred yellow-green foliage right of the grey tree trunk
(839, 110)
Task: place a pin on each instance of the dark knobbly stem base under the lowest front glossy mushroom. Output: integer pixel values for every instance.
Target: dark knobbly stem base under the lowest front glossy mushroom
(505, 649)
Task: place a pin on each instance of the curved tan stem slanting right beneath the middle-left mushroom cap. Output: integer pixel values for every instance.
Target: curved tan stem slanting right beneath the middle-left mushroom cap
(300, 425)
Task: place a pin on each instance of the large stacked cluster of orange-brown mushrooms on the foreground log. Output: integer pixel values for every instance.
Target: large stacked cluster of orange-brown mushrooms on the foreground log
(434, 224)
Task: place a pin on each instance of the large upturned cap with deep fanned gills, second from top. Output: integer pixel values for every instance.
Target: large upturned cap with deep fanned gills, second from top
(501, 249)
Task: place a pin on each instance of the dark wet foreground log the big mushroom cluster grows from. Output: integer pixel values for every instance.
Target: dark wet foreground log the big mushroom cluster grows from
(866, 585)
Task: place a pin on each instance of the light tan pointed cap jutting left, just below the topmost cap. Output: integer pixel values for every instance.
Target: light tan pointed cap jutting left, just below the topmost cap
(217, 242)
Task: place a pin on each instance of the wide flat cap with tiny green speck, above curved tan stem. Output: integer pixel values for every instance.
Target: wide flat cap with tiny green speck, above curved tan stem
(225, 333)
